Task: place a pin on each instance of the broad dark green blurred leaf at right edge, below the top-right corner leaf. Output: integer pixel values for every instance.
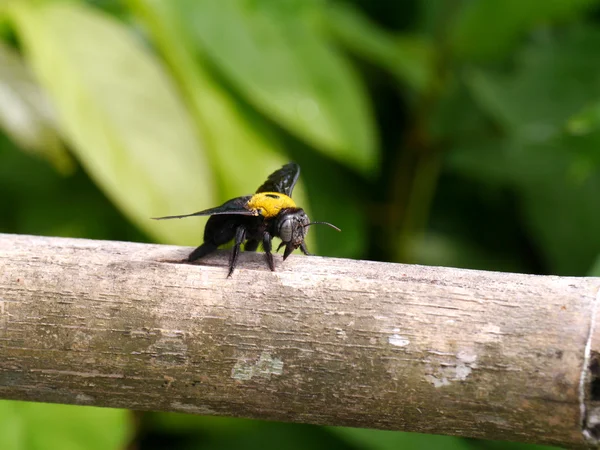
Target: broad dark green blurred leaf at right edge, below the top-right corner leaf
(551, 82)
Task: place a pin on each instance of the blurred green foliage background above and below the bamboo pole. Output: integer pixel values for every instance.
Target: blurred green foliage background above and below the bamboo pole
(461, 133)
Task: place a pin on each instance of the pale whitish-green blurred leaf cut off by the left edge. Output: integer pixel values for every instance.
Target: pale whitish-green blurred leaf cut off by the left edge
(26, 113)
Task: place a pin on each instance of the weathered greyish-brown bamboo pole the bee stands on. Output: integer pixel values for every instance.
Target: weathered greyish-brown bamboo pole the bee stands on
(321, 340)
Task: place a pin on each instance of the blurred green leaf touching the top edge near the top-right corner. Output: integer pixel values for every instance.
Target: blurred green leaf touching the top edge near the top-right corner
(490, 29)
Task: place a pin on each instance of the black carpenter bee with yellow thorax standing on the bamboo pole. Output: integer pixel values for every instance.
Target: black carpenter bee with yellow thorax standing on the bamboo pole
(255, 219)
